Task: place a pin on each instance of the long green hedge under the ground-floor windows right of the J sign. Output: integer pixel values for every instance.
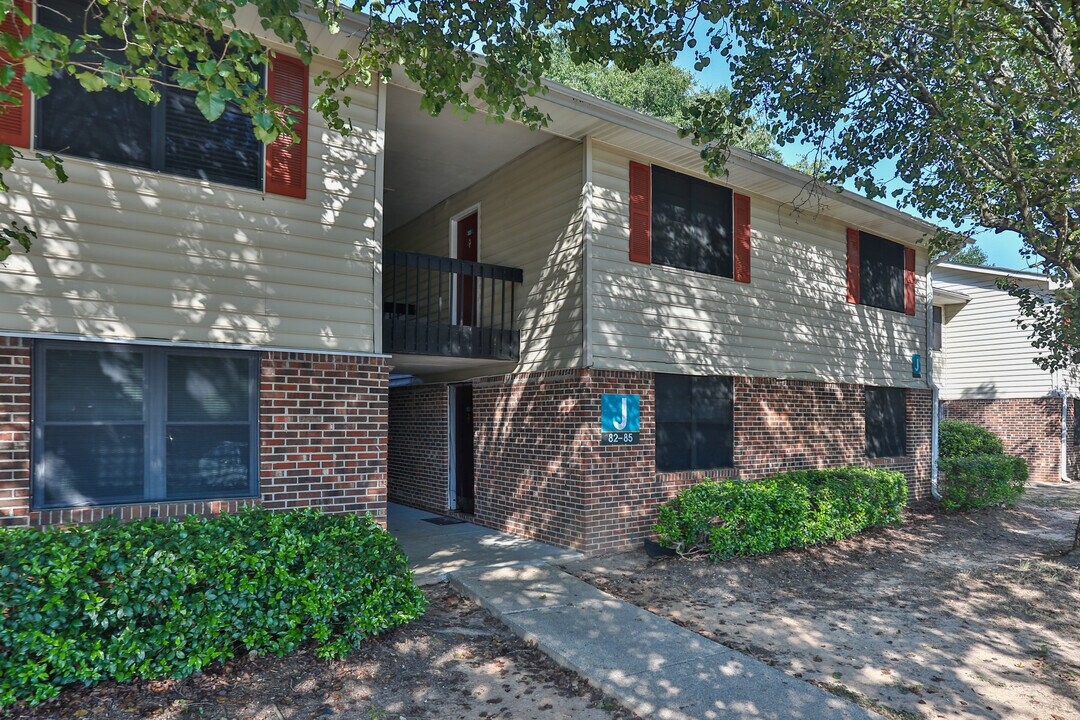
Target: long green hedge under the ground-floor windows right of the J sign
(727, 519)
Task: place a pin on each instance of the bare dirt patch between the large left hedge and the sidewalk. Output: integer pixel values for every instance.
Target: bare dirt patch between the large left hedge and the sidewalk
(456, 662)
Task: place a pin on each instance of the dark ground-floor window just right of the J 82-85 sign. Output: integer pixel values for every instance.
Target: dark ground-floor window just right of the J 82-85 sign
(695, 423)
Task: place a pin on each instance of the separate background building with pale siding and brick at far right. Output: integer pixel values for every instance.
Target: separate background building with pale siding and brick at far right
(987, 373)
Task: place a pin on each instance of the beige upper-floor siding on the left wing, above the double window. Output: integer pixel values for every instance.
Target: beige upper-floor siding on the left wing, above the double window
(132, 254)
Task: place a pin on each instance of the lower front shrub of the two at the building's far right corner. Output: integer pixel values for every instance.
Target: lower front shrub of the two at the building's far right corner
(982, 481)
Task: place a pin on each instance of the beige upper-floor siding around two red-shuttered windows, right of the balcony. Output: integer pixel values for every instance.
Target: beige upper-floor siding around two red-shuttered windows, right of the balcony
(792, 321)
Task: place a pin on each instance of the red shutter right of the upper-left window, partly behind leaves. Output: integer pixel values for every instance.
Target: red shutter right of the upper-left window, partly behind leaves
(288, 161)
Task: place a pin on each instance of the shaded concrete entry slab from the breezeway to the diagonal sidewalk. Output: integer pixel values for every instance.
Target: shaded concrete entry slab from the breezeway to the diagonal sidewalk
(436, 551)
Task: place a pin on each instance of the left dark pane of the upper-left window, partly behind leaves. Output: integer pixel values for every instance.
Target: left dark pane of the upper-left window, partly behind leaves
(106, 126)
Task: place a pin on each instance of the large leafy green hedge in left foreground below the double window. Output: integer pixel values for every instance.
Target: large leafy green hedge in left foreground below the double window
(155, 600)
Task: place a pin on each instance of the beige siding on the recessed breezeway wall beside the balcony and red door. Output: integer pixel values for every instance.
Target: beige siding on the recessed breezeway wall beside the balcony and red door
(531, 218)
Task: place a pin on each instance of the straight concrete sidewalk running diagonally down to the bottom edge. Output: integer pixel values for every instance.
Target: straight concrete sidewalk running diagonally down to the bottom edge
(653, 667)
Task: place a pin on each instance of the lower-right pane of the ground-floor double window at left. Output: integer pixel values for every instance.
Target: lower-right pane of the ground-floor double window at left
(208, 461)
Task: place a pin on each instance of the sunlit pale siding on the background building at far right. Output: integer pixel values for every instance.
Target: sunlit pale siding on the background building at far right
(987, 355)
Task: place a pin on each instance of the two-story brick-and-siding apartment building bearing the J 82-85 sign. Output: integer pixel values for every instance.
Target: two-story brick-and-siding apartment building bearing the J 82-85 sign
(198, 330)
